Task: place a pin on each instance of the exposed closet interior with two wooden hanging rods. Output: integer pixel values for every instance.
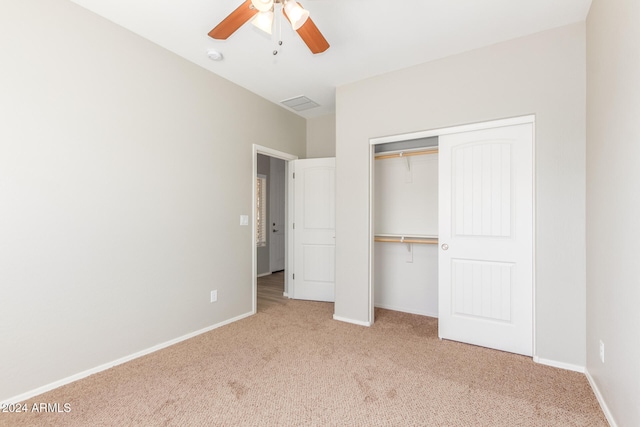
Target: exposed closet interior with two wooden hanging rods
(406, 226)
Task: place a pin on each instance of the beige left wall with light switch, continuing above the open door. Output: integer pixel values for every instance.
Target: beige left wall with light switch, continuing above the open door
(123, 172)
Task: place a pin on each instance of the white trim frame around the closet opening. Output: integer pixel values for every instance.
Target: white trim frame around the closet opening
(439, 132)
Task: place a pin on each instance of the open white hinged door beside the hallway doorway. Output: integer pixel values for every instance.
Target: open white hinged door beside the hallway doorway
(314, 229)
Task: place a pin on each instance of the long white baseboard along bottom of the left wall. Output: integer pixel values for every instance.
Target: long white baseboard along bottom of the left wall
(104, 367)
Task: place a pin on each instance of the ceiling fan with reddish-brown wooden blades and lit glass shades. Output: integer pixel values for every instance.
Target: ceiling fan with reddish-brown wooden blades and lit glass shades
(262, 12)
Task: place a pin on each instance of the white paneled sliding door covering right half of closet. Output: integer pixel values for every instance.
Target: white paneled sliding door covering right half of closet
(485, 220)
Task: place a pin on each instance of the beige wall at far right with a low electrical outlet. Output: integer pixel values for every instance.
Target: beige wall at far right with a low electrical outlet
(613, 205)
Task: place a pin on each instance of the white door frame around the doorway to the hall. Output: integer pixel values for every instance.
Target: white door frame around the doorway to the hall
(259, 149)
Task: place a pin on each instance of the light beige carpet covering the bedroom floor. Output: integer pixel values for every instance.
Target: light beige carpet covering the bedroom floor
(292, 365)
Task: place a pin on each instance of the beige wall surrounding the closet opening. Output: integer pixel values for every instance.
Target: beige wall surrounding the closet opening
(543, 74)
